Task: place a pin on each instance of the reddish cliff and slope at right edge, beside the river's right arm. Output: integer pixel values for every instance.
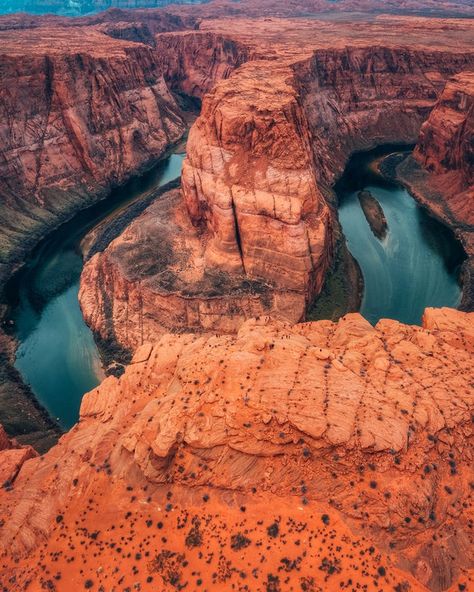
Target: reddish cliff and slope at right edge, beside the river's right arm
(441, 171)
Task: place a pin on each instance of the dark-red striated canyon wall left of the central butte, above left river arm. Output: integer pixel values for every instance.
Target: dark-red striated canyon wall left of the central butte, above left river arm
(77, 117)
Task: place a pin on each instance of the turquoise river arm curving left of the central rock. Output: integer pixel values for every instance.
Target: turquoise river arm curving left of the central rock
(57, 355)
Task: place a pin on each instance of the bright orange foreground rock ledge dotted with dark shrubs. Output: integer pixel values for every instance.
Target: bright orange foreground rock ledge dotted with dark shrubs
(216, 456)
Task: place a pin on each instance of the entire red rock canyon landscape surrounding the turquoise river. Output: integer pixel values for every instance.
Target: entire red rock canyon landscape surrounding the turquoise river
(233, 444)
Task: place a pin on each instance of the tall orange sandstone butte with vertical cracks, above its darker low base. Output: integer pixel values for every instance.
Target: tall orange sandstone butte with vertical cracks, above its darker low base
(249, 183)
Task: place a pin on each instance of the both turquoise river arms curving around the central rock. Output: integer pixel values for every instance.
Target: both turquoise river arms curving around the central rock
(414, 266)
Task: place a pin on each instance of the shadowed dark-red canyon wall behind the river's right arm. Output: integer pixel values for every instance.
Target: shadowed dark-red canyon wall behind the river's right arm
(358, 97)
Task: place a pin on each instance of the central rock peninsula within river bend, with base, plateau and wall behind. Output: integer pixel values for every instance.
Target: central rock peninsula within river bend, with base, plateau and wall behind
(282, 114)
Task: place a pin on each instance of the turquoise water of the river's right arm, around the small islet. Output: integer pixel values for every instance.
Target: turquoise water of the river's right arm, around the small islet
(416, 265)
